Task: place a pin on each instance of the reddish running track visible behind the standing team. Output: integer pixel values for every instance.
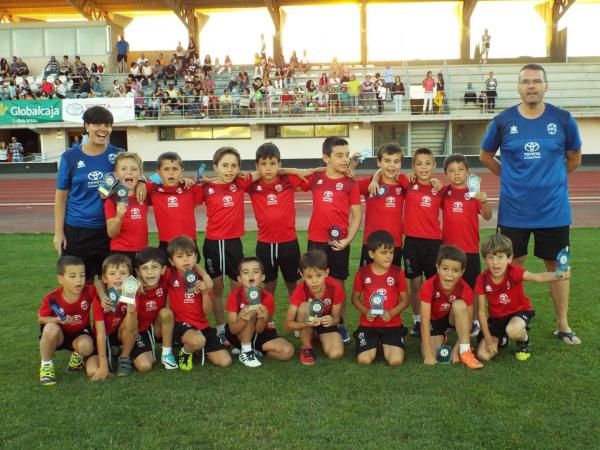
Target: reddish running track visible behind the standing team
(26, 204)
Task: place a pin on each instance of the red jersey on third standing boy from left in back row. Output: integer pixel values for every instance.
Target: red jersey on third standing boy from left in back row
(225, 209)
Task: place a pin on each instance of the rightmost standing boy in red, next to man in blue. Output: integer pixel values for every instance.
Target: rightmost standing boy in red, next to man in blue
(460, 213)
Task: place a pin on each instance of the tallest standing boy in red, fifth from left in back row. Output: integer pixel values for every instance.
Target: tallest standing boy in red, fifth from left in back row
(336, 196)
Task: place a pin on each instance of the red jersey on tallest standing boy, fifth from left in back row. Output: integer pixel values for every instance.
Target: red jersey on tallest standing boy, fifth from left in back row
(332, 198)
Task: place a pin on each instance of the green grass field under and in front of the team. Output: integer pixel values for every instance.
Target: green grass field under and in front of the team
(550, 401)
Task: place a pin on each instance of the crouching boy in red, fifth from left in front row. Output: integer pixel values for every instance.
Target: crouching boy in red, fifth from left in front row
(250, 328)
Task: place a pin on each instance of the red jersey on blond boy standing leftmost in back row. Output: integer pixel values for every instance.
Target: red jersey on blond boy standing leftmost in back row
(133, 236)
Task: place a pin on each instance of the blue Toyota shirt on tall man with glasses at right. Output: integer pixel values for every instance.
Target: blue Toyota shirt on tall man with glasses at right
(533, 179)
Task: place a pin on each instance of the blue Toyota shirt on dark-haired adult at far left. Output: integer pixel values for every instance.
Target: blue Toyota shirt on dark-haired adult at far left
(80, 175)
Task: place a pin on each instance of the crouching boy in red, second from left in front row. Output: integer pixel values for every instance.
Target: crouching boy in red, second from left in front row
(113, 328)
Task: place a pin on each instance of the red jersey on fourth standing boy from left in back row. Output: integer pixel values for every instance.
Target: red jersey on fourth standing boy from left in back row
(274, 208)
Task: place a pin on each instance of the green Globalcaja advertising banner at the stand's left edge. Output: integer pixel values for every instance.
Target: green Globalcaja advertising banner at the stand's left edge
(30, 111)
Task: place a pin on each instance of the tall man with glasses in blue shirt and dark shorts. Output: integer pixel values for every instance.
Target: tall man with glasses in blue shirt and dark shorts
(540, 145)
